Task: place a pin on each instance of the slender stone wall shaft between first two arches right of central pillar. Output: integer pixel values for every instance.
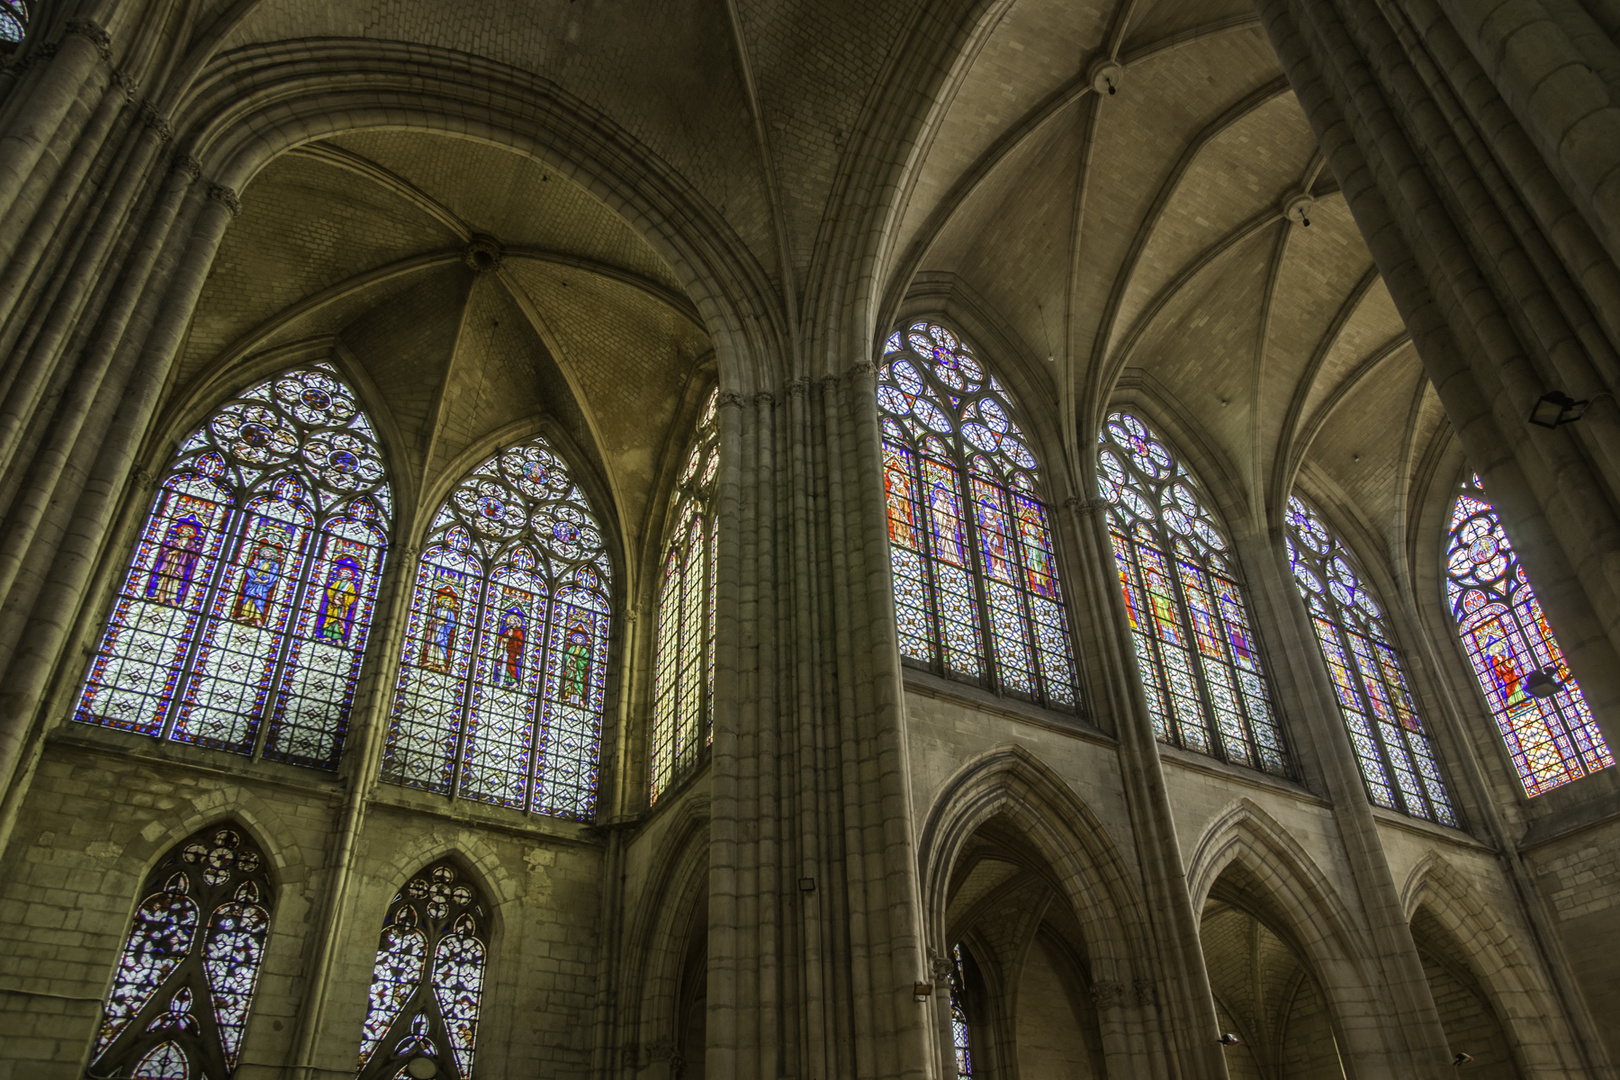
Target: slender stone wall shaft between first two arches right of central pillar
(1183, 1026)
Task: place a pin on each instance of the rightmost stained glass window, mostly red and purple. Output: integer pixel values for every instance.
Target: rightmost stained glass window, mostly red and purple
(1553, 741)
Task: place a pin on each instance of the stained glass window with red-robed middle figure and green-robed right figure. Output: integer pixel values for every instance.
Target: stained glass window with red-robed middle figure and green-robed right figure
(500, 694)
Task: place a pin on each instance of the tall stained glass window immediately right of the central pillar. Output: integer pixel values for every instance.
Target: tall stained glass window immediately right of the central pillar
(976, 577)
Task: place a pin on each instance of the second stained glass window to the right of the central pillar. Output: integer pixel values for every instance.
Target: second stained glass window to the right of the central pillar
(1190, 621)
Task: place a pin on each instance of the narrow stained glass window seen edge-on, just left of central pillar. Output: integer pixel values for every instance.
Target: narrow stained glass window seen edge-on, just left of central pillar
(684, 653)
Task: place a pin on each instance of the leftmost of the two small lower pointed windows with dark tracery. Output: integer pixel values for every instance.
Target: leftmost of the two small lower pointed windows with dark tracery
(184, 989)
